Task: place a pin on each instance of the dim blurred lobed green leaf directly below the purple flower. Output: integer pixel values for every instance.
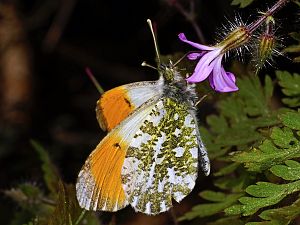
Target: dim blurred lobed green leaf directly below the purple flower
(245, 111)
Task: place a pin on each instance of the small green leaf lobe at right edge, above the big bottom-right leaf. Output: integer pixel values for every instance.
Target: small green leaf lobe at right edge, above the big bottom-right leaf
(289, 172)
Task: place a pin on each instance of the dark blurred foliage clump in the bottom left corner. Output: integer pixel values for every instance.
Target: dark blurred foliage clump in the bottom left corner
(57, 206)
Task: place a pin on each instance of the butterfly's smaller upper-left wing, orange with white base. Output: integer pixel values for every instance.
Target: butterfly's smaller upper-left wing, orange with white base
(116, 104)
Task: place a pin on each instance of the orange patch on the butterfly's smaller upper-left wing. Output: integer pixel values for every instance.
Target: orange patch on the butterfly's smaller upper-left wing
(113, 107)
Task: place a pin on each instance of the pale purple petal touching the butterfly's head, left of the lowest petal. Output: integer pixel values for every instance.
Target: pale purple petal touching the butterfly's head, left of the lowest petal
(204, 67)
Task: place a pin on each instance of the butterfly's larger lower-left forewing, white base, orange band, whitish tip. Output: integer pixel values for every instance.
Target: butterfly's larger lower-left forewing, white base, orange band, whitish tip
(99, 181)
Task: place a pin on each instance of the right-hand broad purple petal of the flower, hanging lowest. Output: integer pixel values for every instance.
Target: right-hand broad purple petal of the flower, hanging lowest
(222, 81)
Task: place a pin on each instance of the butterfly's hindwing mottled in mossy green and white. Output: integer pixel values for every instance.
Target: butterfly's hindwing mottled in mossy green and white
(162, 160)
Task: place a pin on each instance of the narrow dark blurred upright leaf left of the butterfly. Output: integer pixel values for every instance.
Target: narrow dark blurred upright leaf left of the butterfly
(51, 175)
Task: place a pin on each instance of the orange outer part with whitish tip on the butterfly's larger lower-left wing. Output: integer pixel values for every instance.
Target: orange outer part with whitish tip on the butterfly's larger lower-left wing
(99, 184)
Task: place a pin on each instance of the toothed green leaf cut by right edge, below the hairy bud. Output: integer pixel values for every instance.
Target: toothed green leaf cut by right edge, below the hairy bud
(290, 84)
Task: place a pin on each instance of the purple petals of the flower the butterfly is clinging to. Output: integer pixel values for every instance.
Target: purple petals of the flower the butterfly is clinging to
(210, 66)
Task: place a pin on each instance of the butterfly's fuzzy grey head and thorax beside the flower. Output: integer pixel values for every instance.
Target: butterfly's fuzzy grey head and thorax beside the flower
(177, 88)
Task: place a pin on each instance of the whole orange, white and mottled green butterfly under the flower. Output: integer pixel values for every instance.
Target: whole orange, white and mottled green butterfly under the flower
(153, 149)
